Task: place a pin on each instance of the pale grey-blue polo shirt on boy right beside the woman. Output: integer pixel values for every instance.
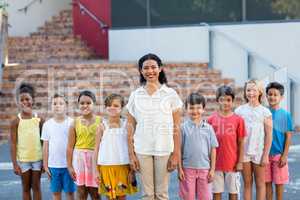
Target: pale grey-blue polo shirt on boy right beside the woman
(196, 144)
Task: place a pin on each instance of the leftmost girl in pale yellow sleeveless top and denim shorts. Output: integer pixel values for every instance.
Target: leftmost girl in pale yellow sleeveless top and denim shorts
(26, 147)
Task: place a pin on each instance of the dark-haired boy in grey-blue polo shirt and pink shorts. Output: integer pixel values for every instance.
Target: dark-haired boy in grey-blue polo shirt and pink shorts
(199, 143)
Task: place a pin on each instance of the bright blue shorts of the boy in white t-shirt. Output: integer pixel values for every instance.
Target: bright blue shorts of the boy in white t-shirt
(61, 180)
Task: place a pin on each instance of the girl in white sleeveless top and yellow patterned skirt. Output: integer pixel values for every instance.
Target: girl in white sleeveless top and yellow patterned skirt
(111, 153)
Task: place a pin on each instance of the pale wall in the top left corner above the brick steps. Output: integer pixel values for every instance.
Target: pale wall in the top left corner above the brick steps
(22, 24)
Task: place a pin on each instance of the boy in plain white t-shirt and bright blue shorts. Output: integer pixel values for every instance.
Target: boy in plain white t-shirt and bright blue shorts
(55, 137)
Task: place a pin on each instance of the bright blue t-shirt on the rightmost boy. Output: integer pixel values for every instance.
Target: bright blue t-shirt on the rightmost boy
(282, 123)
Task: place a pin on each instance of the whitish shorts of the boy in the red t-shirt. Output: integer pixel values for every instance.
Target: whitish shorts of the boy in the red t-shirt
(226, 180)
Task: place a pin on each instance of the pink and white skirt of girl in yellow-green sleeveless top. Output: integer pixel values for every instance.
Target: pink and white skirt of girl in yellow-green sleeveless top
(84, 168)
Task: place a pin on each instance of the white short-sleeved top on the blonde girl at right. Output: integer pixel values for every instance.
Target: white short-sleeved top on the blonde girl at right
(254, 118)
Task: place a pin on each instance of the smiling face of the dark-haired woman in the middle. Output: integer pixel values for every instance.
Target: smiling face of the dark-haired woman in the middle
(150, 70)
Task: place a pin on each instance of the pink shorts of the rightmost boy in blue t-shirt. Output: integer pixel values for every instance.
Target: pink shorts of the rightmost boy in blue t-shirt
(275, 174)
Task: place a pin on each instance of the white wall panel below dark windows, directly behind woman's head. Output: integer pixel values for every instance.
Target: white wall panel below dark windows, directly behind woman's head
(172, 44)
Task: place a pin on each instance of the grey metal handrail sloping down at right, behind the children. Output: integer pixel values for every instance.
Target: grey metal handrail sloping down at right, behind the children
(292, 81)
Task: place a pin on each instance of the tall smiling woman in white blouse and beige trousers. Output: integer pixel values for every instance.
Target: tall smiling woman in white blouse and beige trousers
(153, 126)
